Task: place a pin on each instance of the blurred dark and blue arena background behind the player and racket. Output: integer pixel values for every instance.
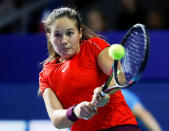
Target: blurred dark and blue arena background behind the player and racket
(23, 47)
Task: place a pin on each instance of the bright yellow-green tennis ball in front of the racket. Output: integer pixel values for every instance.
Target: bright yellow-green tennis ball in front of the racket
(116, 51)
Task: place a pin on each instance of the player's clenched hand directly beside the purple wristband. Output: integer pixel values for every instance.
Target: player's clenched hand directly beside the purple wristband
(85, 110)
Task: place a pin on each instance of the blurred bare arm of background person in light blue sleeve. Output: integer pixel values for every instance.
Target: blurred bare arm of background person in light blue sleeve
(147, 118)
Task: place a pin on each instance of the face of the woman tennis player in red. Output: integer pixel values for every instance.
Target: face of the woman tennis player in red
(65, 37)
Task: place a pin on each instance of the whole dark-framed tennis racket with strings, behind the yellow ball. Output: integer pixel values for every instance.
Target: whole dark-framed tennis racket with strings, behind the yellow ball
(136, 44)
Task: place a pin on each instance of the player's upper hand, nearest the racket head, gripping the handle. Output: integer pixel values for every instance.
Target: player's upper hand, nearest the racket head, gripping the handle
(98, 100)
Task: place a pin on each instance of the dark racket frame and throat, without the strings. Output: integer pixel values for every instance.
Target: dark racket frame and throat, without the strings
(114, 70)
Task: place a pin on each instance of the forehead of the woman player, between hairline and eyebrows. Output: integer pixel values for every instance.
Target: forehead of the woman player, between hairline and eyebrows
(63, 23)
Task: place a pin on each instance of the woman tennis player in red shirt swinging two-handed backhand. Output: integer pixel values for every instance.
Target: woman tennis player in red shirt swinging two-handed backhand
(72, 76)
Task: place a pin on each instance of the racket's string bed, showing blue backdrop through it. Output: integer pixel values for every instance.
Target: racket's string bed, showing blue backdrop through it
(135, 53)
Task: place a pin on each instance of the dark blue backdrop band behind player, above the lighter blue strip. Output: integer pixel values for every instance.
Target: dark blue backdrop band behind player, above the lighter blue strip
(21, 55)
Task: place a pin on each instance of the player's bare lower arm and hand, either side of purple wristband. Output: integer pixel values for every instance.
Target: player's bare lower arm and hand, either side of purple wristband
(58, 115)
